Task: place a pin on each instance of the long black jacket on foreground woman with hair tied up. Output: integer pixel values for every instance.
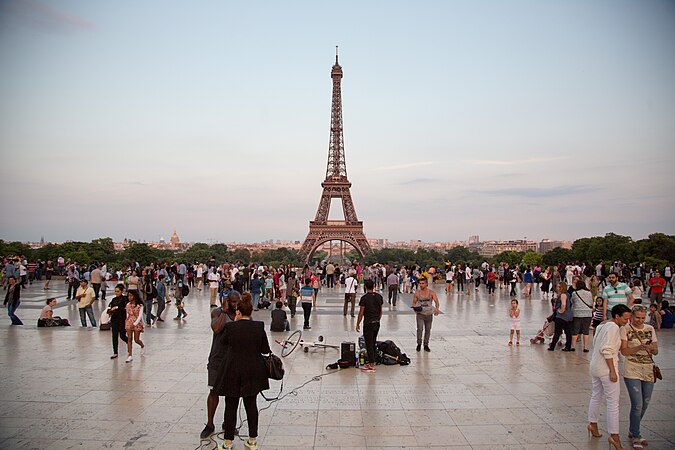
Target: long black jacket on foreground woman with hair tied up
(243, 372)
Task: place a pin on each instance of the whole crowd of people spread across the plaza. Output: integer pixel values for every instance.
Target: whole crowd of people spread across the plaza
(584, 298)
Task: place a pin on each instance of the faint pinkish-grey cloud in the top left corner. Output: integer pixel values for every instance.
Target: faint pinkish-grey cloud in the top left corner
(37, 15)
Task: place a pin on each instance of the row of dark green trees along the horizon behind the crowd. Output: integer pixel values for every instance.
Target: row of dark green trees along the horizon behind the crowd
(657, 250)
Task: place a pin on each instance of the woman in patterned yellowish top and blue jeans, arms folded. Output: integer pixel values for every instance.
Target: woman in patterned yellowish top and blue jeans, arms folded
(638, 344)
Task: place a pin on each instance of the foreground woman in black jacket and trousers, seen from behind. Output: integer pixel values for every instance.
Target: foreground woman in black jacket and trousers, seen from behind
(243, 372)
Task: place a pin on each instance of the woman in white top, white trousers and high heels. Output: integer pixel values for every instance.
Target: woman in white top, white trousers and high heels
(604, 369)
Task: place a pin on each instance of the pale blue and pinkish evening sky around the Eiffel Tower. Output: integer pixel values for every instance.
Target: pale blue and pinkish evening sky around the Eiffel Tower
(507, 120)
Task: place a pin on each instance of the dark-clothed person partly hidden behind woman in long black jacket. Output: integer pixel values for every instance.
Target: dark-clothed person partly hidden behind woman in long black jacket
(219, 317)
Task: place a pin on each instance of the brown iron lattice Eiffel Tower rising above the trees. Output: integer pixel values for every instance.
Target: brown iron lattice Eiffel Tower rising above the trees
(336, 185)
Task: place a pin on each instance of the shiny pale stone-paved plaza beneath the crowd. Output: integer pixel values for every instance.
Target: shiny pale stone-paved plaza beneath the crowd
(60, 389)
